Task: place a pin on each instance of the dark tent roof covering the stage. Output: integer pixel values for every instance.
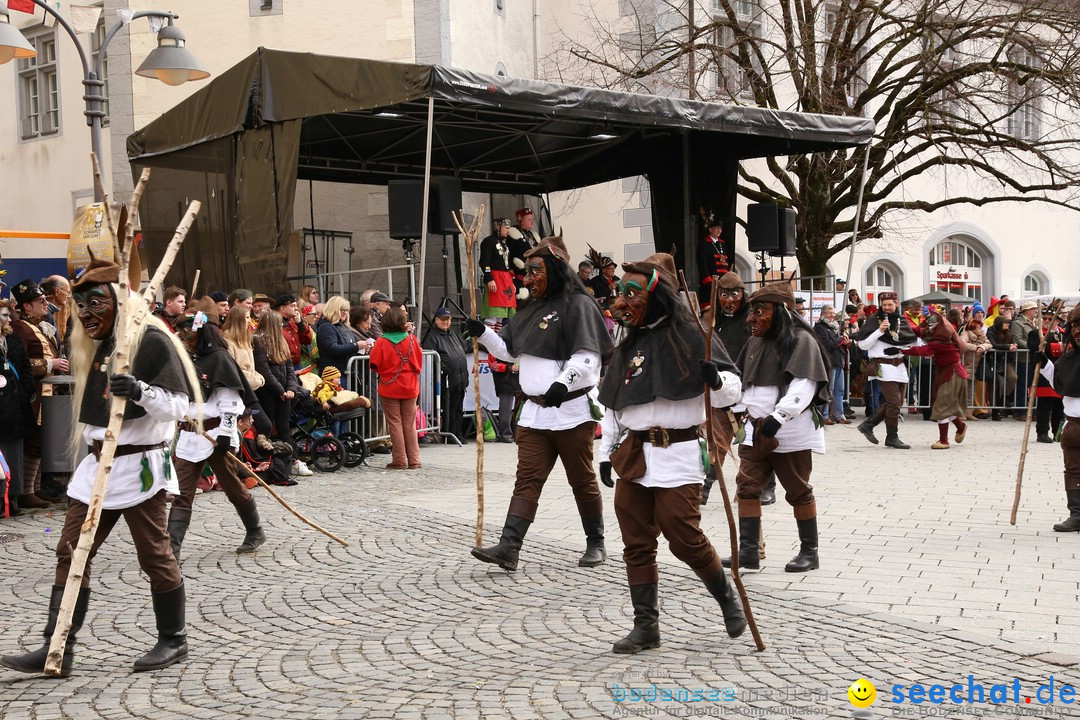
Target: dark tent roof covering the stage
(366, 121)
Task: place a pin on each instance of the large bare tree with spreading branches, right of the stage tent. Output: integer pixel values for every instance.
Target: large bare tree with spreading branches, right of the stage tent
(978, 97)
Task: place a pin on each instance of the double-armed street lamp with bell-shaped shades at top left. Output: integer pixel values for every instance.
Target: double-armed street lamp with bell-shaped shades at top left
(171, 62)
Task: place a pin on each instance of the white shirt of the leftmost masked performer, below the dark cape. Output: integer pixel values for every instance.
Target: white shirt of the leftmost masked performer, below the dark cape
(125, 488)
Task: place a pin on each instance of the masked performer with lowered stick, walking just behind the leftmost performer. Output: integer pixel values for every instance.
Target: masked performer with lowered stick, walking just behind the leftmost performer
(227, 396)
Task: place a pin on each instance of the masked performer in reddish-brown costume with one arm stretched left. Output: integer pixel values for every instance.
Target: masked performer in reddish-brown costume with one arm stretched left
(951, 379)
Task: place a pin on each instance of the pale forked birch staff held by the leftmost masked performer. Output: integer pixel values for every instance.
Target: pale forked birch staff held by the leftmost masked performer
(127, 324)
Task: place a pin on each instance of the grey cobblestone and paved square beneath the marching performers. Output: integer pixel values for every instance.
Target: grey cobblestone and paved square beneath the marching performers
(923, 580)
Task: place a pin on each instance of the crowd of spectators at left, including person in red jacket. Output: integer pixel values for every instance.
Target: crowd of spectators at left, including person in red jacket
(285, 348)
